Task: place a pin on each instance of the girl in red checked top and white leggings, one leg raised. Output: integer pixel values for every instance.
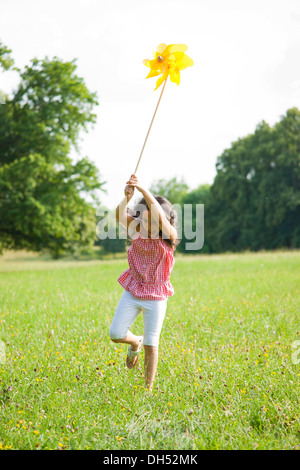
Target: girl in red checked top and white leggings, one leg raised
(147, 280)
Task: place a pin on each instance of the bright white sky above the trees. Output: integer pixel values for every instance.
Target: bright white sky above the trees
(246, 68)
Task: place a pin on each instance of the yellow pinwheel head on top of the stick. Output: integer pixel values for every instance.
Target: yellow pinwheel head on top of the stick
(168, 60)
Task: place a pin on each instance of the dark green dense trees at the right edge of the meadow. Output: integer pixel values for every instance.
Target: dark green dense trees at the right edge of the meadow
(255, 197)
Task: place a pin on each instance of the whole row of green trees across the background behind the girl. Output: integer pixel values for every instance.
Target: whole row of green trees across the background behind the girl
(252, 204)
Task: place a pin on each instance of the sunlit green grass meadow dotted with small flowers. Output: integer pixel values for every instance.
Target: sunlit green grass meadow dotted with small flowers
(226, 378)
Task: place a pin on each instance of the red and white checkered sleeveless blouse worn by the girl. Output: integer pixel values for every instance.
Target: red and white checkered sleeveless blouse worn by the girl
(150, 264)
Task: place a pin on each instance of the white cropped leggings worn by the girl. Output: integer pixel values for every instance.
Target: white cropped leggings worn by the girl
(128, 309)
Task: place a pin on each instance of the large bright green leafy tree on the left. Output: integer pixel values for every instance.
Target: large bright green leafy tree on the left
(42, 190)
